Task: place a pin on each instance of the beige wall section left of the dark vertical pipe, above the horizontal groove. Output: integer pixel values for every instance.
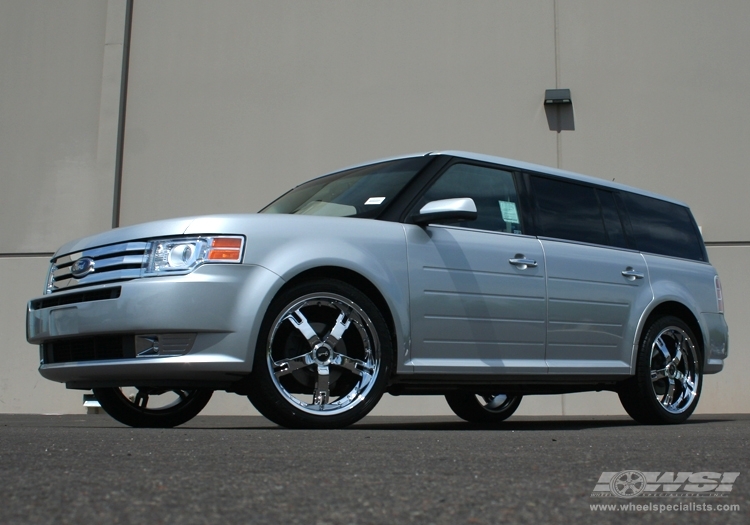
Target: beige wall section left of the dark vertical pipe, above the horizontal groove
(51, 57)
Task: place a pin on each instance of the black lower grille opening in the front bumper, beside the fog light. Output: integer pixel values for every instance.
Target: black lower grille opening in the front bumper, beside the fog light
(88, 349)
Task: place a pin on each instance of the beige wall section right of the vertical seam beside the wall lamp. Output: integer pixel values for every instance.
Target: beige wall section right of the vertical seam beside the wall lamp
(658, 90)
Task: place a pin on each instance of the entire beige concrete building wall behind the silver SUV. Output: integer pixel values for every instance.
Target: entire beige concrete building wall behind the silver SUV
(231, 103)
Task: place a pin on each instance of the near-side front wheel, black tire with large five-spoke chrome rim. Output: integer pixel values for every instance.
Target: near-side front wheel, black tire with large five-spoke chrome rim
(318, 327)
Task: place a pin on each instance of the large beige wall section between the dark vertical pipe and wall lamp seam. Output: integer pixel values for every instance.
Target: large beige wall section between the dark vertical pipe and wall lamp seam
(231, 103)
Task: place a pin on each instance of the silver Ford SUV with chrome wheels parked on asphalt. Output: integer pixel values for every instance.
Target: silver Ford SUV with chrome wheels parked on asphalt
(478, 278)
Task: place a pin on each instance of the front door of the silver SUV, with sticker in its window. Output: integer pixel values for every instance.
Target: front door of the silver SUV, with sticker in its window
(477, 288)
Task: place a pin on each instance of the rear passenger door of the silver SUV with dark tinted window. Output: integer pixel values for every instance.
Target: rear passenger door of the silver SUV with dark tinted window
(596, 286)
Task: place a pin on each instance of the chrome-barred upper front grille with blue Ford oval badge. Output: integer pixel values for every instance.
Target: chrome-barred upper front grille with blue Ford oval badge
(105, 264)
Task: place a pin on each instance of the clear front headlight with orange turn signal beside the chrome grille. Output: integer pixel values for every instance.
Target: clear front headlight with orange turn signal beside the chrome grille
(183, 255)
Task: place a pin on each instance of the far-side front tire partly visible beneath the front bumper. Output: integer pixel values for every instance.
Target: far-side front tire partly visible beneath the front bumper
(168, 408)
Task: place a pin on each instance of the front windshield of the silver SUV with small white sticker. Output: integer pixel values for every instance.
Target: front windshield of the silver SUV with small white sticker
(362, 192)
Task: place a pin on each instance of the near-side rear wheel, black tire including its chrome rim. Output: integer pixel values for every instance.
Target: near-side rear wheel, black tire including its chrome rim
(668, 375)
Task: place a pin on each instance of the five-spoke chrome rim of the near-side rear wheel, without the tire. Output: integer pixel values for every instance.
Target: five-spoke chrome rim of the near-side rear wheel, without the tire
(674, 370)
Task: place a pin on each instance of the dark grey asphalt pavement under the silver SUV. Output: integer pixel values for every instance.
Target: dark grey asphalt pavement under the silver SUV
(90, 469)
